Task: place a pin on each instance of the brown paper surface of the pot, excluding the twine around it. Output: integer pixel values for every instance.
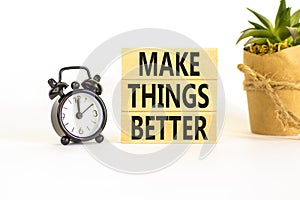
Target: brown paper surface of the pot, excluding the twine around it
(280, 66)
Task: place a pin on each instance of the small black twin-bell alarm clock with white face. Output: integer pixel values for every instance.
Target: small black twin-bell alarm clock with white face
(79, 115)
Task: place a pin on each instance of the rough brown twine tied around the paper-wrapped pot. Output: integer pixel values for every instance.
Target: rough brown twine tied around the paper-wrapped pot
(269, 86)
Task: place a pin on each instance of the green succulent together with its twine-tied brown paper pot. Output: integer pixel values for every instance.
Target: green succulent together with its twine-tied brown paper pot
(272, 73)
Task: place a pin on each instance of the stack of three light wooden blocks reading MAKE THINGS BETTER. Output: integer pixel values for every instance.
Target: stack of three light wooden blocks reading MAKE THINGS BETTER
(169, 95)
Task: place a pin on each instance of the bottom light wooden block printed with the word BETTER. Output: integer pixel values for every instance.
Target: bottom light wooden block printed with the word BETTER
(163, 126)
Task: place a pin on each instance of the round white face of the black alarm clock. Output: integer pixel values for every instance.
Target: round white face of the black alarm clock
(82, 114)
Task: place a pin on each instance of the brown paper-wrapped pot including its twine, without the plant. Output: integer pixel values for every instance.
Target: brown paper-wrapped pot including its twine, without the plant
(272, 82)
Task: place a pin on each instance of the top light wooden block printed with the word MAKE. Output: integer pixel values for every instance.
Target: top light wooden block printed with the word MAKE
(207, 60)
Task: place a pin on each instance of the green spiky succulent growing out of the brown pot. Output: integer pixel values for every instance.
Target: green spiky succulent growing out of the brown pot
(270, 38)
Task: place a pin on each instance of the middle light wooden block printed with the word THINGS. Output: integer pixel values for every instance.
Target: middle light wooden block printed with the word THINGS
(182, 91)
